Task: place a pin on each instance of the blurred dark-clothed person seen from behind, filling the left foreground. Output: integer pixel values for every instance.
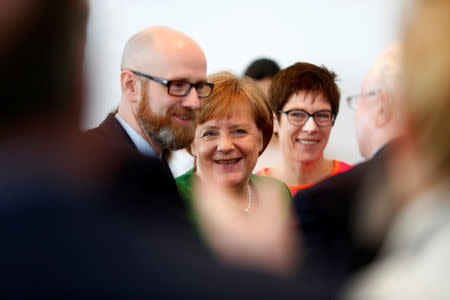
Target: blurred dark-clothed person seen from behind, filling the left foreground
(75, 217)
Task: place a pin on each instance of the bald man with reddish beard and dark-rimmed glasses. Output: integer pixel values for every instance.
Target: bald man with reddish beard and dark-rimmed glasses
(163, 80)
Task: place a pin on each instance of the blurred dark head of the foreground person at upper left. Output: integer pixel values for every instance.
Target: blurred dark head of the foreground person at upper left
(41, 50)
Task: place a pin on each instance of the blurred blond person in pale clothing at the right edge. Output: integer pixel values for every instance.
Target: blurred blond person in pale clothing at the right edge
(415, 261)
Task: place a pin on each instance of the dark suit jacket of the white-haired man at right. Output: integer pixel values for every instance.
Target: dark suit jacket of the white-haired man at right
(326, 213)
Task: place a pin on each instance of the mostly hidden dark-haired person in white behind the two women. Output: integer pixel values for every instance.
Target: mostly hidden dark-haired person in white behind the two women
(263, 70)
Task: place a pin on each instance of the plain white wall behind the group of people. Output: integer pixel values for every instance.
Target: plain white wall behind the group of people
(344, 35)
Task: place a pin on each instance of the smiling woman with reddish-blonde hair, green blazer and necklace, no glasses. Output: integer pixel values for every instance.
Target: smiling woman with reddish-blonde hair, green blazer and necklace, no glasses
(233, 128)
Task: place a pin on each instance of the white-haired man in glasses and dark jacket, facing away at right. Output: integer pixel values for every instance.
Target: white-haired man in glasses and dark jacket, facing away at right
(327, 210)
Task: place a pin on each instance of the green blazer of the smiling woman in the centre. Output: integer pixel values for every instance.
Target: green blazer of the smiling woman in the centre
(184, 183)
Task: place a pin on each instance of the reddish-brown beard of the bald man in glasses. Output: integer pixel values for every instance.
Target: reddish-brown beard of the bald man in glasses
(162, 129)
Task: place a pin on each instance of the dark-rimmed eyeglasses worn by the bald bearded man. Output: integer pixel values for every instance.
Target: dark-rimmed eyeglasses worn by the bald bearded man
(180, 88)
